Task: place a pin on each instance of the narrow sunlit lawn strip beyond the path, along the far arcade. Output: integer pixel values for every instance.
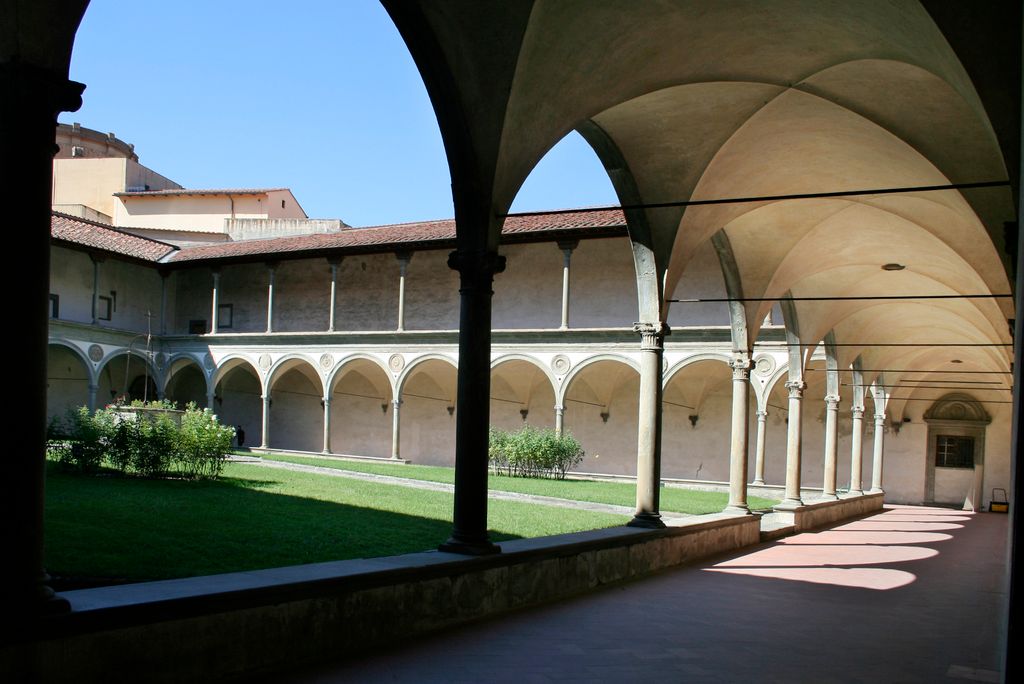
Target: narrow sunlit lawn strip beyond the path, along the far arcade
(674, 500)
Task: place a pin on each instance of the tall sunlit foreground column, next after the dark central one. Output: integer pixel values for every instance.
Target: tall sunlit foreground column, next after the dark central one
(650, 423)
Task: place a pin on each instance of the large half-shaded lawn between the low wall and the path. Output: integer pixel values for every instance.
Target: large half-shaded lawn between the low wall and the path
(132, 529)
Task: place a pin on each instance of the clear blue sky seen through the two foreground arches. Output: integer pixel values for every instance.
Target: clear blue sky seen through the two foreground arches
(324, 100)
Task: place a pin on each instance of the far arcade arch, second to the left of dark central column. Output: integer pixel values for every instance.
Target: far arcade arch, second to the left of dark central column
(362, 392)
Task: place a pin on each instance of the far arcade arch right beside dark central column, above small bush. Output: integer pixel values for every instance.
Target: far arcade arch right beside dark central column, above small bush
(521, 383)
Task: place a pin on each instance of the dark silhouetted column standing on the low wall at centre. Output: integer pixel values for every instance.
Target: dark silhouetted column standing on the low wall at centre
(477, 272)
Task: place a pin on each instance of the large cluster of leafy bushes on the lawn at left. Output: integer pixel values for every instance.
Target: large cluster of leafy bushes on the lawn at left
(151, 445)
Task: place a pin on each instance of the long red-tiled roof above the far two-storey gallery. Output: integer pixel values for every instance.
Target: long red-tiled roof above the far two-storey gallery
(420, 234)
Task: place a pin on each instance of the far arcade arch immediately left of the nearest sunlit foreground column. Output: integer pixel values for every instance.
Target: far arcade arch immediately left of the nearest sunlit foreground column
(602, 406)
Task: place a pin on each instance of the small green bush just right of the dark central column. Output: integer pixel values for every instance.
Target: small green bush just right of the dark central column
(533, 453)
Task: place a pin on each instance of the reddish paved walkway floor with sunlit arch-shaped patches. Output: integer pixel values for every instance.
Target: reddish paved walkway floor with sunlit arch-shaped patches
(909, 595)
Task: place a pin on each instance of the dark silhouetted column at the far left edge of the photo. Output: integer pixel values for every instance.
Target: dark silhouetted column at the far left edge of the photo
(30, 100)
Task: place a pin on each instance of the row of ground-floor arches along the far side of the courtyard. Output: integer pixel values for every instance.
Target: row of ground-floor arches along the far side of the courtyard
(286, 407)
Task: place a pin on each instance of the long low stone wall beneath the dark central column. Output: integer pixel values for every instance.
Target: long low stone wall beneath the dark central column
(262, 622)
